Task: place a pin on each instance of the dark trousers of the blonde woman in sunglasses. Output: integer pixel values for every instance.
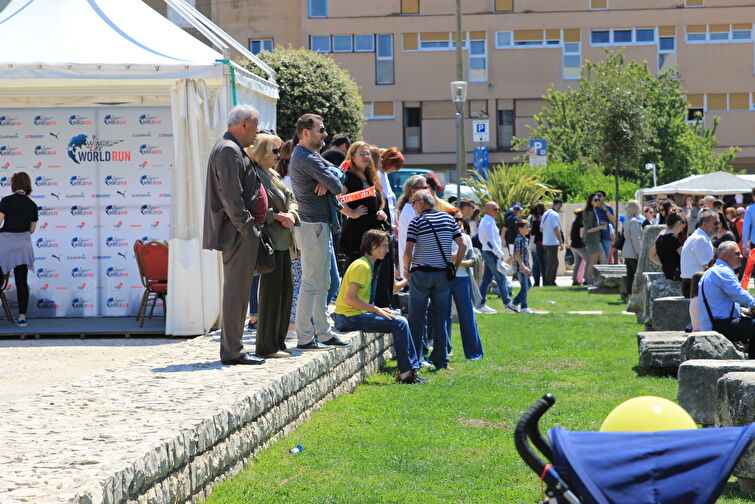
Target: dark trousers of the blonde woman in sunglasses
(276, 296)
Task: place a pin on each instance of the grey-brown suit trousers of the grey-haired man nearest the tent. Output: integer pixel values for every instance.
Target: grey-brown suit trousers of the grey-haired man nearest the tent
(238, 270)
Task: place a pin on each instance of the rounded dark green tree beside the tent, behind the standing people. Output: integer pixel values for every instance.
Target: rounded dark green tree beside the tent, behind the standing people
(313, 83)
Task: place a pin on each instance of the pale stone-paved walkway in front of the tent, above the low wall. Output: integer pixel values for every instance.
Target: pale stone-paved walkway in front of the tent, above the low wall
(58, 438)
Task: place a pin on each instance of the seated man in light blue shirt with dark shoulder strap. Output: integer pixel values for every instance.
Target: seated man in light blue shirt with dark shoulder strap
(721, 297)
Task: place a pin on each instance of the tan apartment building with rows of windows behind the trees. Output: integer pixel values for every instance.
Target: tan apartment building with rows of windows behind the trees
(402, 55)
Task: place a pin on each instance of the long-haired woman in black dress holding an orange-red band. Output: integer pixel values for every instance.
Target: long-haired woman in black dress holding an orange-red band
(361, 174)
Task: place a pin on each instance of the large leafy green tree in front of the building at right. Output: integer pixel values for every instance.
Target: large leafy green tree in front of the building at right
(621, 116)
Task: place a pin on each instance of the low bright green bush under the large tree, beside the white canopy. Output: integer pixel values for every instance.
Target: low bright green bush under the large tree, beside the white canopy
(578, 180)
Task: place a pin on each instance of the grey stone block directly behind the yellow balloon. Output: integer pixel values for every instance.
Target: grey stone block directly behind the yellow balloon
(697, 385)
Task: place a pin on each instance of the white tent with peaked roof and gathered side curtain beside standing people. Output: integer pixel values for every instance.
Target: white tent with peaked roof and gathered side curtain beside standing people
(60, 53)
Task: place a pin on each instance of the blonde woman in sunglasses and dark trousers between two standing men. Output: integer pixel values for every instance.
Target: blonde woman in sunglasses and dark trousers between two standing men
(275, 288)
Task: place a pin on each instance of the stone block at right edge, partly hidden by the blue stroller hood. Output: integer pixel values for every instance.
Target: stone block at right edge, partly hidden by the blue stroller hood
(735, 406)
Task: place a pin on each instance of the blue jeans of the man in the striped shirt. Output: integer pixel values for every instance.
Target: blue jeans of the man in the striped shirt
(434, 288)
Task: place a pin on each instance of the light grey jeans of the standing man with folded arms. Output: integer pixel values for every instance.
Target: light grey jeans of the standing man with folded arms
(314, 241)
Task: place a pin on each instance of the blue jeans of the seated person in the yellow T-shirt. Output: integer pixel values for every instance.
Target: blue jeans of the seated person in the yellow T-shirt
(402, 336)
